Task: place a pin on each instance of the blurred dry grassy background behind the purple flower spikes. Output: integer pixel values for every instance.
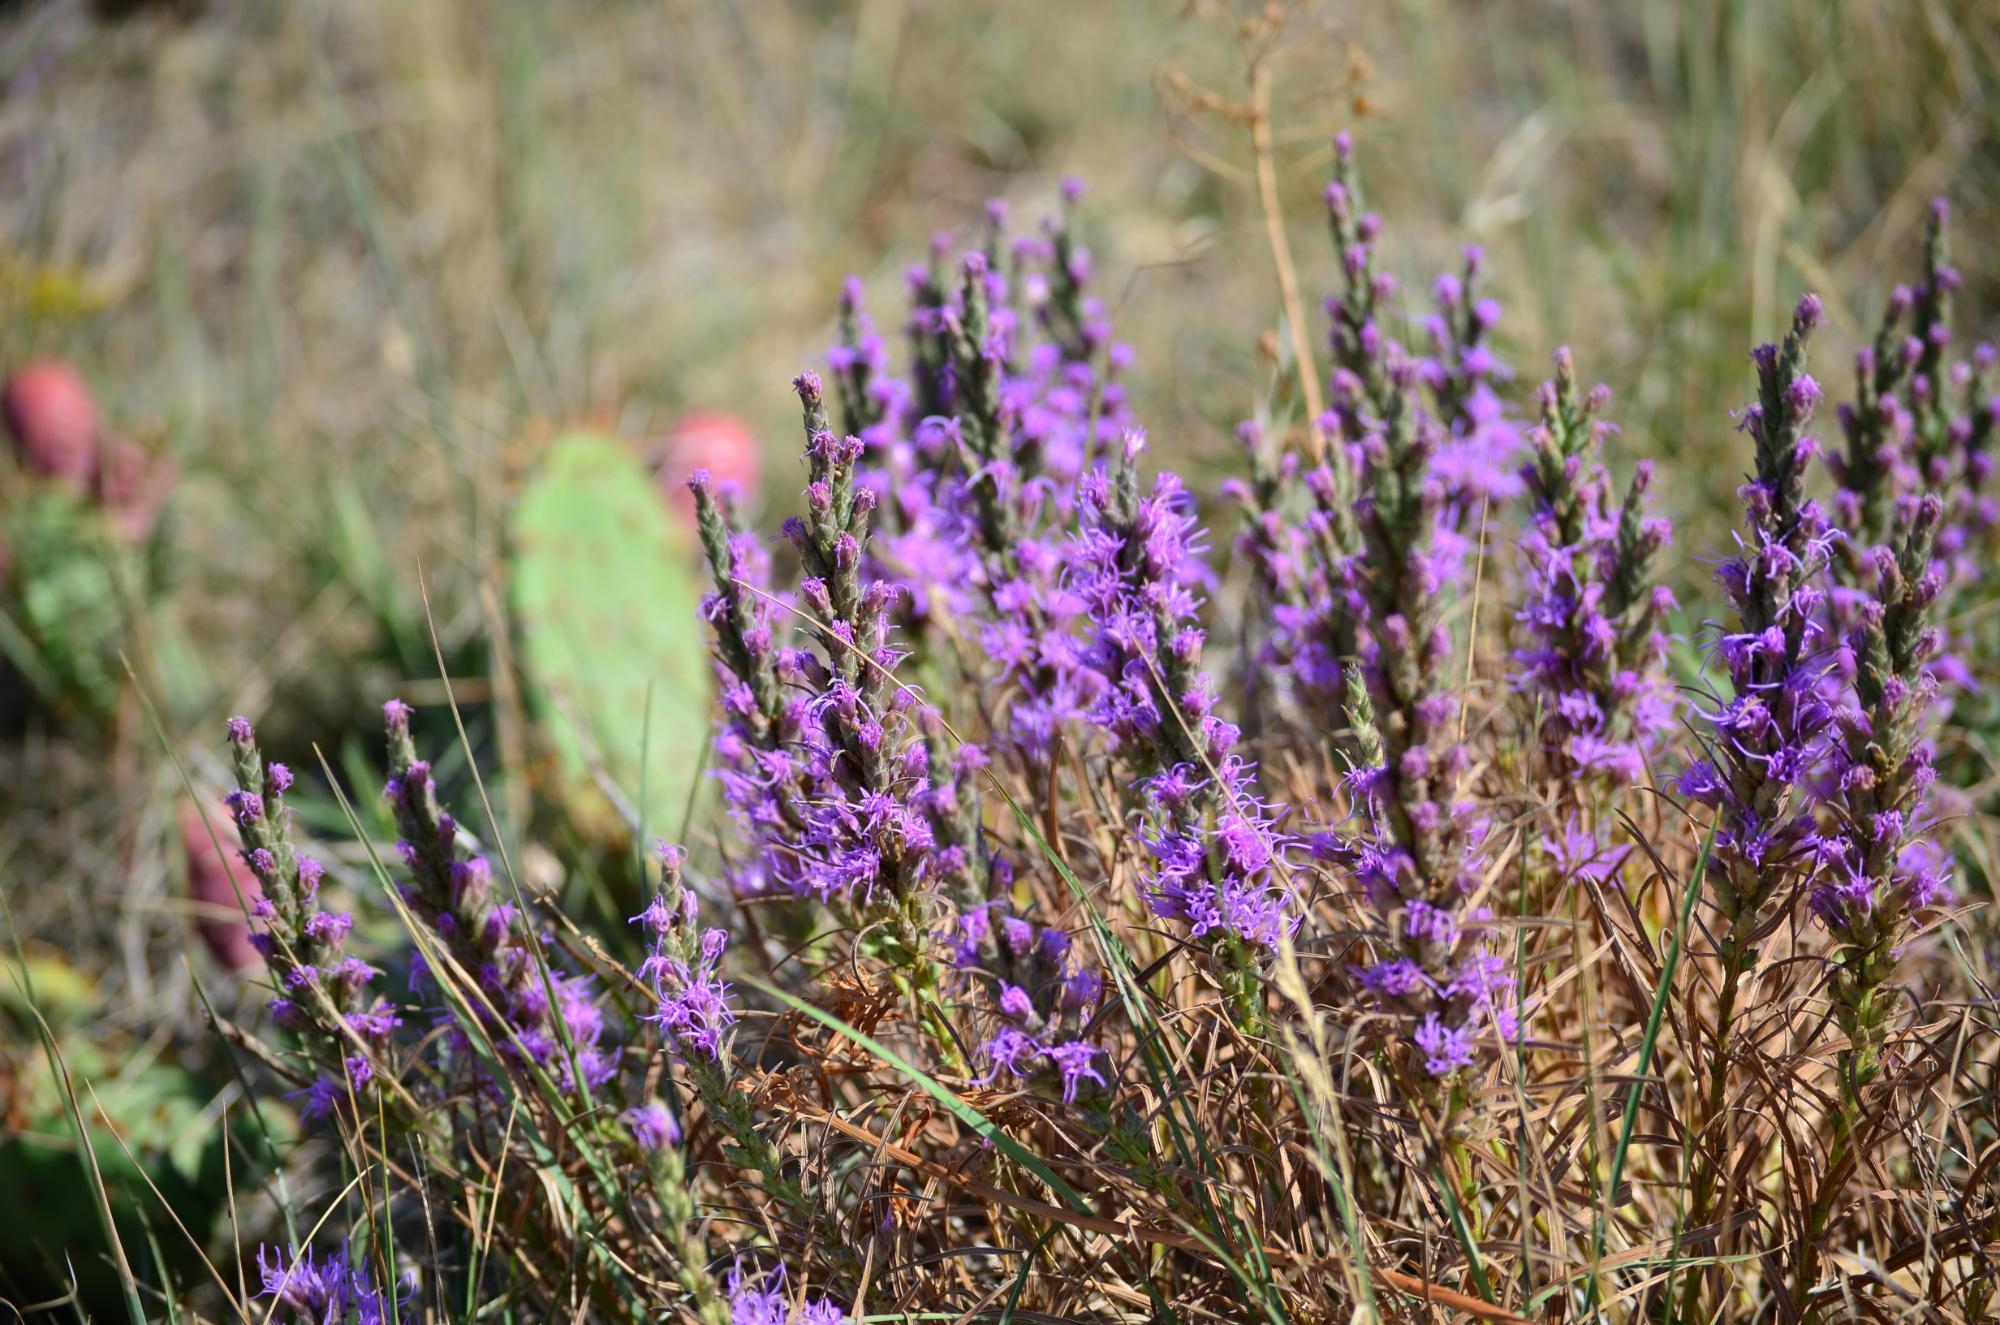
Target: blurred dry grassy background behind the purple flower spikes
(361, 269)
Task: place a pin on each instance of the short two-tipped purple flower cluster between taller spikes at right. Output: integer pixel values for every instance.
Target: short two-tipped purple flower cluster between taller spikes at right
(1591, 617)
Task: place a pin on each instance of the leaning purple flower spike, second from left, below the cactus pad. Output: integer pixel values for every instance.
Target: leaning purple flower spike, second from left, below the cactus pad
(533, 1014)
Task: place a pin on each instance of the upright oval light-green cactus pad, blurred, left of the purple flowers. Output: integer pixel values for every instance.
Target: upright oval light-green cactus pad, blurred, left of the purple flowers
(605, 591)
